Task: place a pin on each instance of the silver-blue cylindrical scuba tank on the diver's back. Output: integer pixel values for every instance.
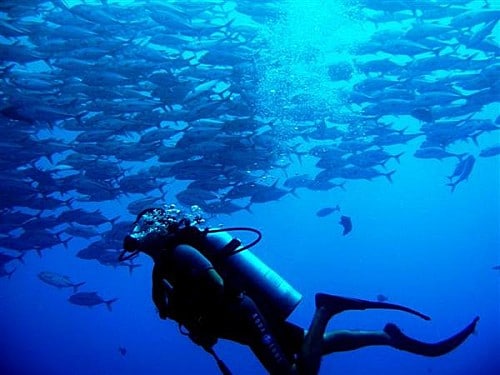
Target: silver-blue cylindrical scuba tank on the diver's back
(248, 273)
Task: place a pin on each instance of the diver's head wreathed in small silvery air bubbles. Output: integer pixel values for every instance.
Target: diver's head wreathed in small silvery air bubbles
(153, 228)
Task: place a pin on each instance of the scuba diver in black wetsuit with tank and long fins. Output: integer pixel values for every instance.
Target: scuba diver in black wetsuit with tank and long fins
(214, 288)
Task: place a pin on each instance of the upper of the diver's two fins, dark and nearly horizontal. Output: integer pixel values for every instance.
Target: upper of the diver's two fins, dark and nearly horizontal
(337, 304)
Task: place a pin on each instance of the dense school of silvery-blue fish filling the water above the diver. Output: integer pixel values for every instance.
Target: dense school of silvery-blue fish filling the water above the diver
(103, 102)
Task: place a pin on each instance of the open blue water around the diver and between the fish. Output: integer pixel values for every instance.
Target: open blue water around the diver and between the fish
(412, 240)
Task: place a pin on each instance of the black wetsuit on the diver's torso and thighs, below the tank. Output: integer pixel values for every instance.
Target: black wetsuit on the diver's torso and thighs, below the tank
(209, 314)
